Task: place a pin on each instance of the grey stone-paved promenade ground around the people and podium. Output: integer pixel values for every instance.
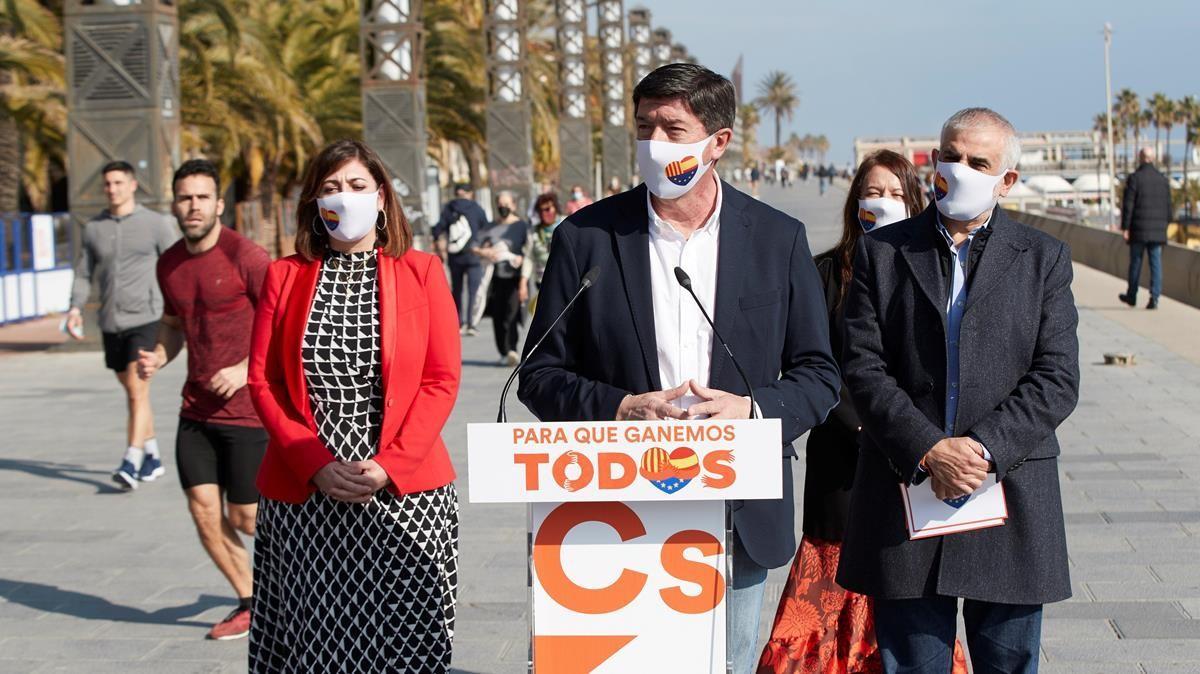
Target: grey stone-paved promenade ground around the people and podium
(97, 581)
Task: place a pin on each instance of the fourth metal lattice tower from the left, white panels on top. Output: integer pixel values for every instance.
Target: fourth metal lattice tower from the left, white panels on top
(574, 125)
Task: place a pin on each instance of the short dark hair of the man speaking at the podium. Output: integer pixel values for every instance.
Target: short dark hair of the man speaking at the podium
(709, 95)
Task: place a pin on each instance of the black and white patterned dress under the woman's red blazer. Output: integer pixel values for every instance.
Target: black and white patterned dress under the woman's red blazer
(343, 587)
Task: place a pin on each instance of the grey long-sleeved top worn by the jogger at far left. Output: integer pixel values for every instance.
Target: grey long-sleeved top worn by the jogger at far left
(121, 255)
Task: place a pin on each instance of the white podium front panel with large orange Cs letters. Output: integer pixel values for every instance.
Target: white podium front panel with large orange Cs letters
(634, 587)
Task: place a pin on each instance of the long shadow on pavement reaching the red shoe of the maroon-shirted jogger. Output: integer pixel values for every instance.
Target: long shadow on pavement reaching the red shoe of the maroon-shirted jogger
(52, 599)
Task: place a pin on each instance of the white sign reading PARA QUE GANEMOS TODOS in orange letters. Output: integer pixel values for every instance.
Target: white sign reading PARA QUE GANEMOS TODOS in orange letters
(633, 461)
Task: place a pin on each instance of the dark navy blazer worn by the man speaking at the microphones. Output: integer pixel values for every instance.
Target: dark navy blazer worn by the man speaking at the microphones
(770, 308)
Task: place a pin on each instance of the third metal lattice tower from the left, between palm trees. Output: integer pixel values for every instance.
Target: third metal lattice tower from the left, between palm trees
(509, 136)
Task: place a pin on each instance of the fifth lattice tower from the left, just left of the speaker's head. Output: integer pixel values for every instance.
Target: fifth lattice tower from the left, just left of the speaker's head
(616, 157)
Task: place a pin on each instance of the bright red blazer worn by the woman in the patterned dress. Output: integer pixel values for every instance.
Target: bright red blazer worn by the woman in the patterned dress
(422, 369)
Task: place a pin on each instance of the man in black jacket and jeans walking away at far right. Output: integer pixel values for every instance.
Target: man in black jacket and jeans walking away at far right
(1145, 212)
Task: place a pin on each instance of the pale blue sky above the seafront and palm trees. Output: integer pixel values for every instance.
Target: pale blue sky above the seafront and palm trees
(875, 68)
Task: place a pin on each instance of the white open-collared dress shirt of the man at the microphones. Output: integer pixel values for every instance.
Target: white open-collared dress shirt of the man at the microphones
(685, 339)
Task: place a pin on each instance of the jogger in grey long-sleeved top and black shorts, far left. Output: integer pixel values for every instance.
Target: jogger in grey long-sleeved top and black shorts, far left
(119, 251)
